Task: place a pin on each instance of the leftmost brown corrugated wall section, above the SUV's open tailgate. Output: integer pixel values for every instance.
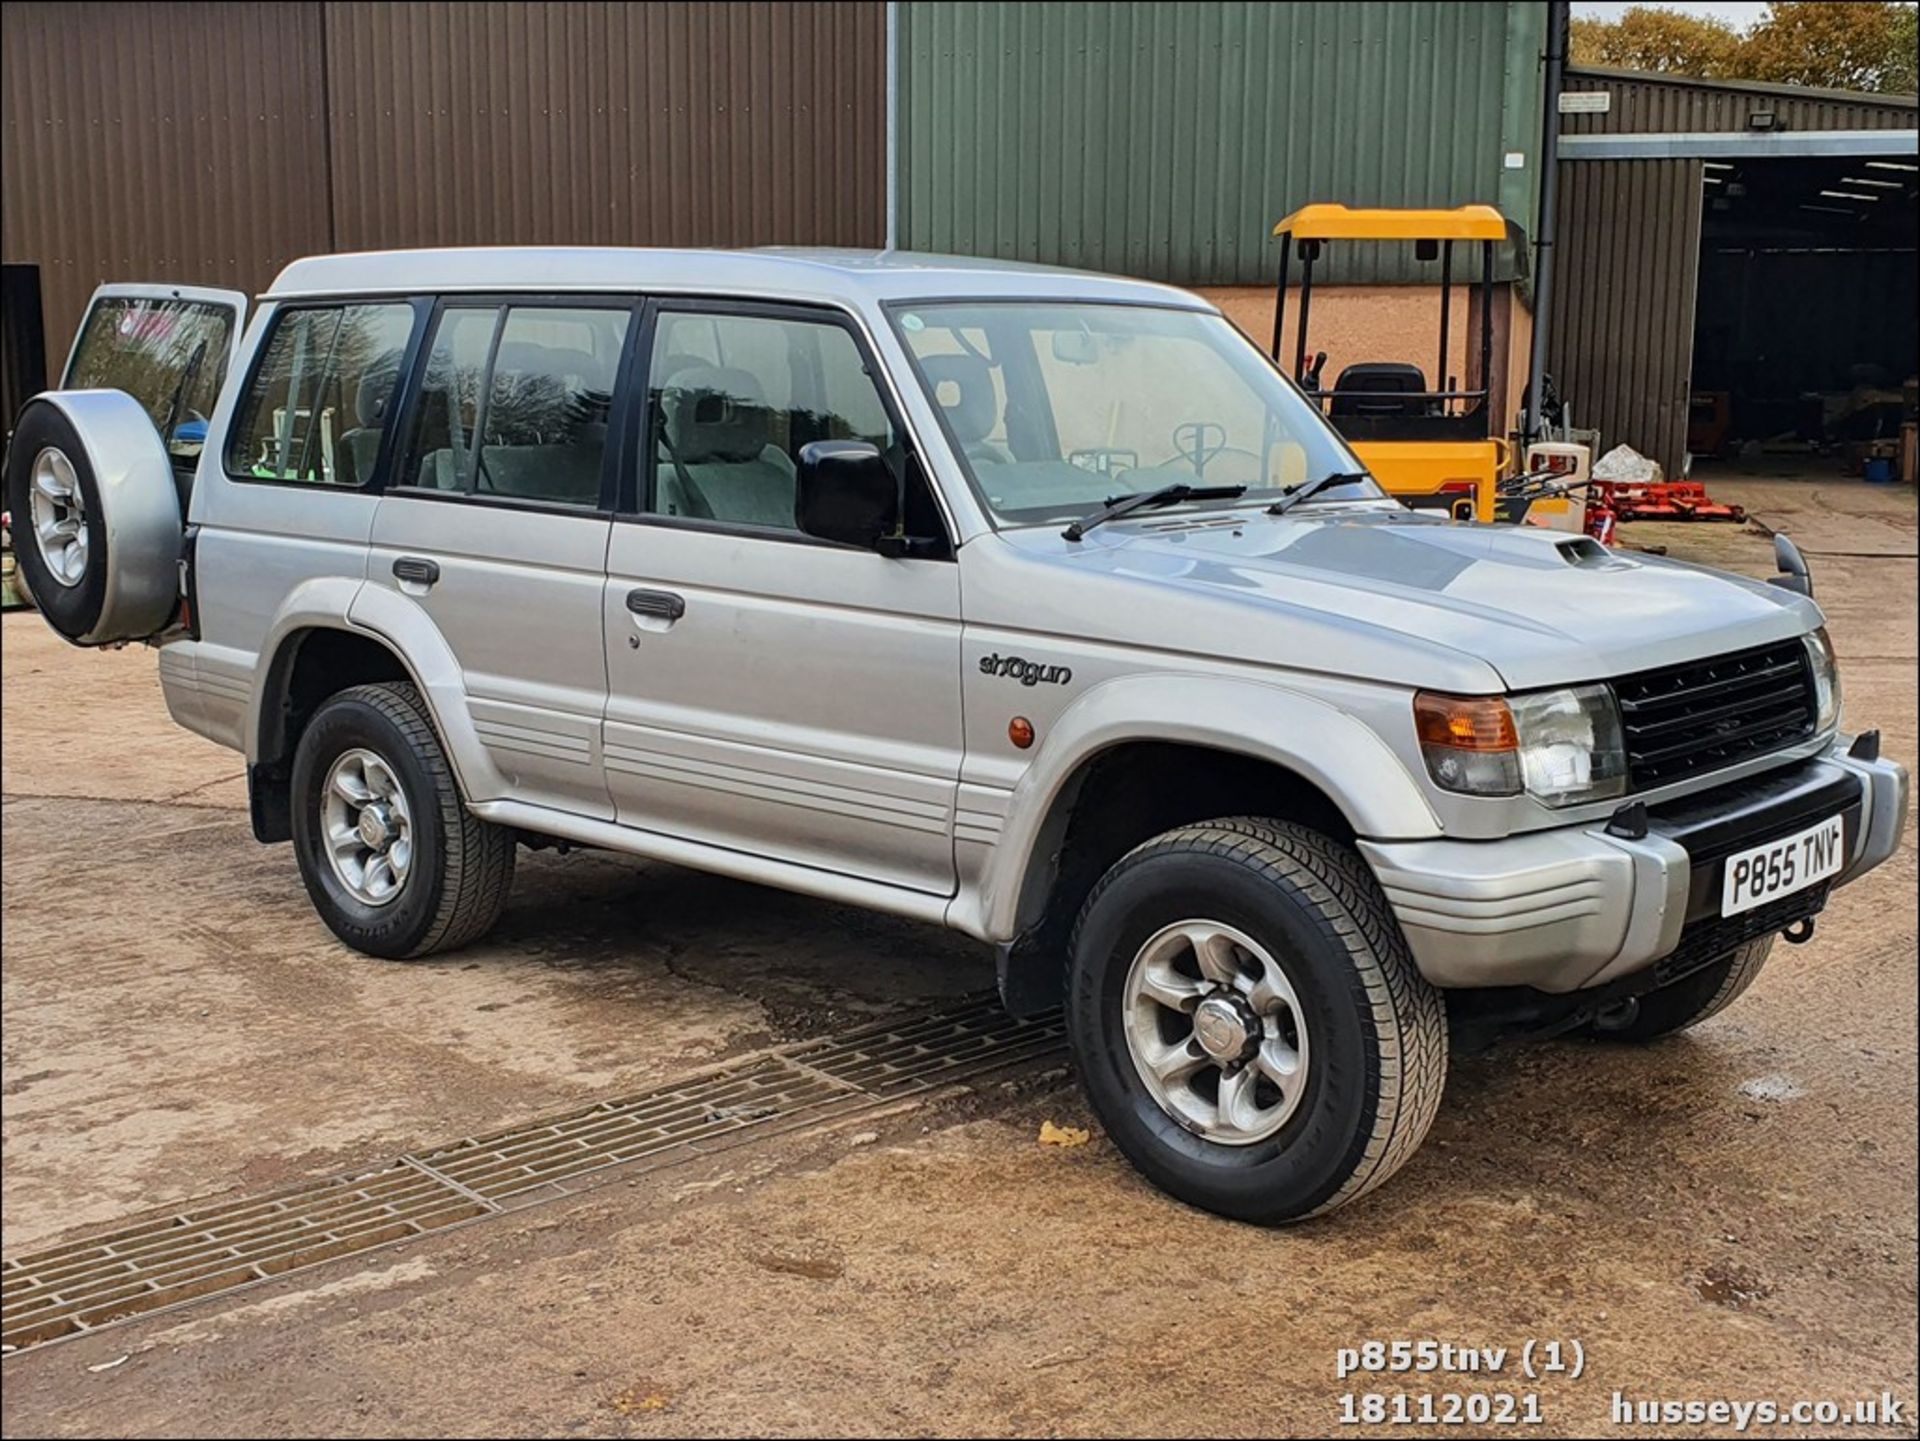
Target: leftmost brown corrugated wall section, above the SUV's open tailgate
(158, 143)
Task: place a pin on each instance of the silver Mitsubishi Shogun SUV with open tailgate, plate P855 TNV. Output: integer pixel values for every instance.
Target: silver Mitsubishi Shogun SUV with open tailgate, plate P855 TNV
(1028, 603)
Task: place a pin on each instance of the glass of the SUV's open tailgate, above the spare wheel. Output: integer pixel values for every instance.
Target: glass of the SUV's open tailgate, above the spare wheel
(168, 354)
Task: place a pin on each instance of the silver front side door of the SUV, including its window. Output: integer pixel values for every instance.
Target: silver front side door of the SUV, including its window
(767, 692)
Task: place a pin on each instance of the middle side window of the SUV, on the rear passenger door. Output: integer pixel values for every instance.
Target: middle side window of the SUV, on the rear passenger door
(516, 404)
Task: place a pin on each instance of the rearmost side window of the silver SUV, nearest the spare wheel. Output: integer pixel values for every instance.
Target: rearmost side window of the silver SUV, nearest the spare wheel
(322, 396)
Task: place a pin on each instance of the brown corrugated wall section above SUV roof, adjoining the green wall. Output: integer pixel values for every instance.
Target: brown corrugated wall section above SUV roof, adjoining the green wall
(608, 126)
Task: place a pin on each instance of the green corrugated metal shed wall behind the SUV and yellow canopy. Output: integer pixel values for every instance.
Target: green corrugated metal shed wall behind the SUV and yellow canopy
(1166, 139)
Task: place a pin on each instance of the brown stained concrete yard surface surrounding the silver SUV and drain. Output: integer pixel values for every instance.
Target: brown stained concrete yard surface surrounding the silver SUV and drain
(1727, 1216)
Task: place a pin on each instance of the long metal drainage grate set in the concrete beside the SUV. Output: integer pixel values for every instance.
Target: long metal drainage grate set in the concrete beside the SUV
(226, 1246)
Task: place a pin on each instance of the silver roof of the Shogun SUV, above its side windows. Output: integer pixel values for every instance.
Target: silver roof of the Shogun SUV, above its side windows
(775, 273)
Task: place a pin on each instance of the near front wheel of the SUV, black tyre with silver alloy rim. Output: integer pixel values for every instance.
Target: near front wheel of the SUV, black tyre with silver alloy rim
(1249, 1024)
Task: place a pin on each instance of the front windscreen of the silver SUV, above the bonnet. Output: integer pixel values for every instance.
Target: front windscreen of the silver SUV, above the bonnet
(1057, 410)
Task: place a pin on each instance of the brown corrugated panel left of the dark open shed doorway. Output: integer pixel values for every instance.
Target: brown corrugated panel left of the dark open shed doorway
(1621, 348)
